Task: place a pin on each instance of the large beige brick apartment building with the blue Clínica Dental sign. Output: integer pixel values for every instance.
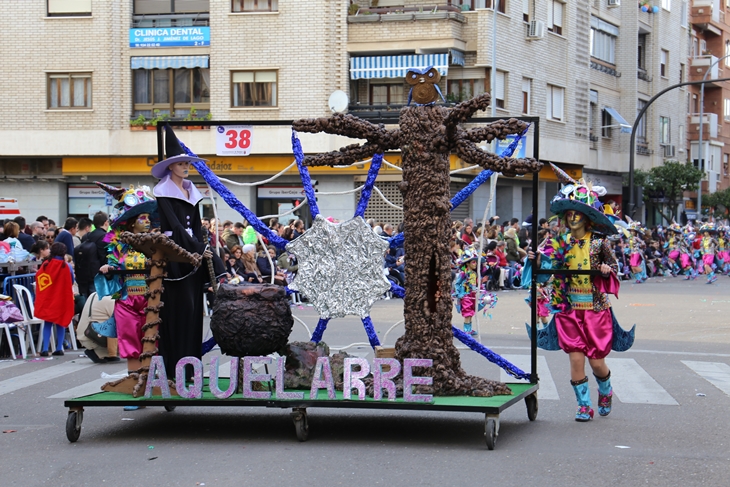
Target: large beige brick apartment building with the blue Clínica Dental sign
(92, 69)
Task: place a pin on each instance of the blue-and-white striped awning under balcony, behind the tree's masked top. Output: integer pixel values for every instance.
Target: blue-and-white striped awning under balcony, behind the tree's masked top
(373, 67)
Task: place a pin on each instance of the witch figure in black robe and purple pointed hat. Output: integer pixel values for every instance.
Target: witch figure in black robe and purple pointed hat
(181, 329)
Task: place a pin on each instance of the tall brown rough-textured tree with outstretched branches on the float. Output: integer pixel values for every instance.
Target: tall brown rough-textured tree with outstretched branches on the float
(426, 137)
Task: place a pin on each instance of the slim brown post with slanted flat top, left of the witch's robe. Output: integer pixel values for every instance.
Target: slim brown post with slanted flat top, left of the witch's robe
(159, 249)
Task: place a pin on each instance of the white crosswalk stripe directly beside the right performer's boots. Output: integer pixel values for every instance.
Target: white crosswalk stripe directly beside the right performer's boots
(632, 384)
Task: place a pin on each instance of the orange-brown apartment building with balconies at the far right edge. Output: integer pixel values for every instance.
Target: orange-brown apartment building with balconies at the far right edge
(709, 58)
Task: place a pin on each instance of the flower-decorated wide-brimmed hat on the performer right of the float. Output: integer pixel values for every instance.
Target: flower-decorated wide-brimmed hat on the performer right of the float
(583, 197)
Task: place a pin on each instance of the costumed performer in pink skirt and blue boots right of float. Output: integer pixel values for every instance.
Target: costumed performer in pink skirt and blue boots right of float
(583, 320)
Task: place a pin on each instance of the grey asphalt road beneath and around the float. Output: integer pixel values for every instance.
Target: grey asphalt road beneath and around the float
(668, 427)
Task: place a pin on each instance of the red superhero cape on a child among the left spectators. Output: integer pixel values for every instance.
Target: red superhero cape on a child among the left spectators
(54, 300)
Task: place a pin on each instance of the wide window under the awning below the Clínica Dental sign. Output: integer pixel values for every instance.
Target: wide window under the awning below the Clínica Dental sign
(171, 91)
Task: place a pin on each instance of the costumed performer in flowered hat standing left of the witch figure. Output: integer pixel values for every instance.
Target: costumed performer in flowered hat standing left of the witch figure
(133, 213)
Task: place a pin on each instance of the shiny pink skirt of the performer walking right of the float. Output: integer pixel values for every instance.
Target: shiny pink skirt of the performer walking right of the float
(586, 331)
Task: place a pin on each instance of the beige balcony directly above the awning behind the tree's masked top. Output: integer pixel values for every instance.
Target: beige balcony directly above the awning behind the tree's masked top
(398, 29)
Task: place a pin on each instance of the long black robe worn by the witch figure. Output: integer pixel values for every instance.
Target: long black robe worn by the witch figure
(181, 330)
